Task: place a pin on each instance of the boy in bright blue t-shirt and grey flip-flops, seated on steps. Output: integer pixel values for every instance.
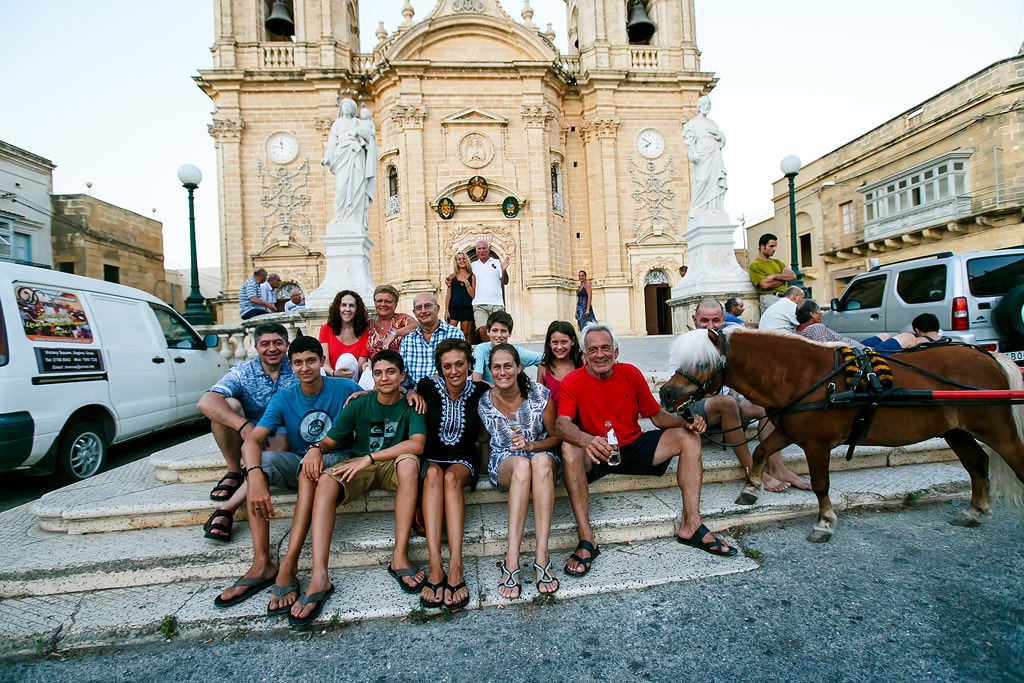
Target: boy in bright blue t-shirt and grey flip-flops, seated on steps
(307, 412)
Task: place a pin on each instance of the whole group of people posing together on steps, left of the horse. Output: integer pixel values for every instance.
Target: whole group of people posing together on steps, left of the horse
(439, 415)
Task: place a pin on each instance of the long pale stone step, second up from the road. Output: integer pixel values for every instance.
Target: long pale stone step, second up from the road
(40, 564)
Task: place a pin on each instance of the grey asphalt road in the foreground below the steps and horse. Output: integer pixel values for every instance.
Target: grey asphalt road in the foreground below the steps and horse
(894, 597)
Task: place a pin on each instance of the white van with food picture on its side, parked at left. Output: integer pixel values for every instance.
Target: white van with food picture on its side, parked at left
(86, 364)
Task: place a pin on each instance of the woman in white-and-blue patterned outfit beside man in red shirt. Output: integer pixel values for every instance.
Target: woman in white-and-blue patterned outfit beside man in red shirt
(520, 418)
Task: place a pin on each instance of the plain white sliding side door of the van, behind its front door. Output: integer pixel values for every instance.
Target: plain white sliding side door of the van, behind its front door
(139, 366)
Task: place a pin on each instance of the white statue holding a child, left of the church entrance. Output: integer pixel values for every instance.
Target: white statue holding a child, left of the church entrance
(355, 170)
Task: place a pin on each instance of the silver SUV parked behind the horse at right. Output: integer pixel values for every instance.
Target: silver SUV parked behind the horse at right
(978, 298)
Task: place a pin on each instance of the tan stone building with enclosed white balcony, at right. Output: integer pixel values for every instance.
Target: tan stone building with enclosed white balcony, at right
(946, 176)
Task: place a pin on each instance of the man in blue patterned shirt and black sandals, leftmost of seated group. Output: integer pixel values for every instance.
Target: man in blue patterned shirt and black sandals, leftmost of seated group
(235, 406)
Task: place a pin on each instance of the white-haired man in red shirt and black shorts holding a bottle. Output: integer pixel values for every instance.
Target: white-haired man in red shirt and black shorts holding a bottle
(606, 392)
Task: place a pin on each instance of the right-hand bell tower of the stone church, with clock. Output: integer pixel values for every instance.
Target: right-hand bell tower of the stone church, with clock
(638, 70)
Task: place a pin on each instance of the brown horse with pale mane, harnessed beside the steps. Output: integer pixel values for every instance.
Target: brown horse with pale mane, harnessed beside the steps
(776, 370)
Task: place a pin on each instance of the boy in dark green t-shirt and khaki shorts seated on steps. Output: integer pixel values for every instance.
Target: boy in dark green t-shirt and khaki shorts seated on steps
(390, 437)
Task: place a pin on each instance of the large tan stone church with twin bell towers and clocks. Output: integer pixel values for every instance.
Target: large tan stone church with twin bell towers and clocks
(581, 155)
